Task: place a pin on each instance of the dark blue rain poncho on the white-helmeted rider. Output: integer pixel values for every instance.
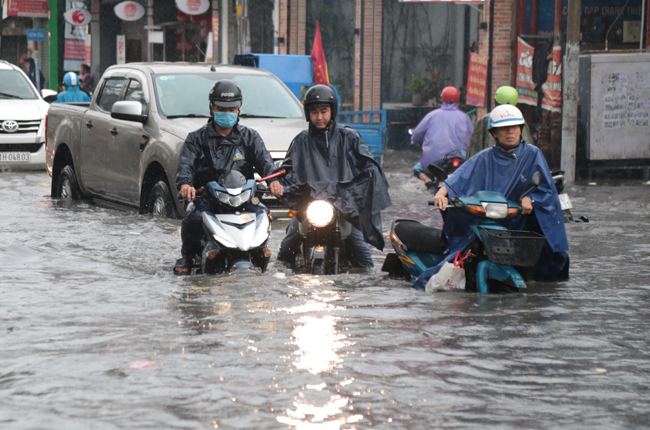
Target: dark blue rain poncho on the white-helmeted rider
(508, 173)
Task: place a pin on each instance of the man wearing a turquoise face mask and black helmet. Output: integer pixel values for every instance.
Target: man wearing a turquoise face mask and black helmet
(221, 145)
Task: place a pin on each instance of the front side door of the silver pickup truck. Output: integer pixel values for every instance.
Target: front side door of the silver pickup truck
(125, 150)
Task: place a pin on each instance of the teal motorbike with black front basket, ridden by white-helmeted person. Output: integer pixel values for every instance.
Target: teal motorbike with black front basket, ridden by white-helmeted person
(497, 254)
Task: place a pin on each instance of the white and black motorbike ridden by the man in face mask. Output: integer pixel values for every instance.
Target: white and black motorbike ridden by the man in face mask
(233, 238)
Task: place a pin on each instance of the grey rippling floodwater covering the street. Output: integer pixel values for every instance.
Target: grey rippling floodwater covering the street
(97, 333)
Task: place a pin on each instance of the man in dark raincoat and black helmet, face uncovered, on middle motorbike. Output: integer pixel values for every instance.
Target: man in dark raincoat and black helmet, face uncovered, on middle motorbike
(334, 163)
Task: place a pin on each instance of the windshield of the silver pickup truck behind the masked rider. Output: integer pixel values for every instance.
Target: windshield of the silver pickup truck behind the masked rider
(187, 95)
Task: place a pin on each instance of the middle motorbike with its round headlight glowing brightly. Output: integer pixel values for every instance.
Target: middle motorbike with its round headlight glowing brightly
(324, 231)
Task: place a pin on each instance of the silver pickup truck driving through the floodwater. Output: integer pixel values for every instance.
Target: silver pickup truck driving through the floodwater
(123, 147)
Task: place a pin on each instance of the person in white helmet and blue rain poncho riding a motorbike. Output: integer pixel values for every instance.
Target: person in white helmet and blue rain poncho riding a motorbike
(507, 168)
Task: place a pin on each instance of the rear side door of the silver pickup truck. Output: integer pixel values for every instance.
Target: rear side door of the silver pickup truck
(97, 169)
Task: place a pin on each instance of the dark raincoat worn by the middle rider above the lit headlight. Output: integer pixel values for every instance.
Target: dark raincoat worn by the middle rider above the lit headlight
(336, 165)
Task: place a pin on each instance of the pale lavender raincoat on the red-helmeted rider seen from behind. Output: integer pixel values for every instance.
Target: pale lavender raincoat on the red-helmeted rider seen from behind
(442, 131)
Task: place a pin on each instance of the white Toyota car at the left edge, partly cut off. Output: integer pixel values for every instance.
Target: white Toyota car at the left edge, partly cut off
(22, 120)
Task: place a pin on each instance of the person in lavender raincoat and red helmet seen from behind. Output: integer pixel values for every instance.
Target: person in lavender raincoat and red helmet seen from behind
(440, 132)
